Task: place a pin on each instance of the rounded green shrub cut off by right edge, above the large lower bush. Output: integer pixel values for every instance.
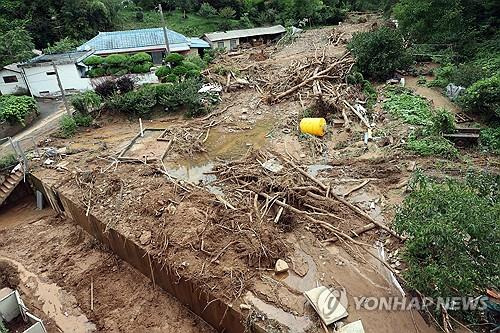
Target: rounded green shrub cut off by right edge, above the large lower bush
(483, 97)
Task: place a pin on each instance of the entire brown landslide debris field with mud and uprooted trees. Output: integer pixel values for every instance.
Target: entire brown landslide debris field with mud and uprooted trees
(219, 199)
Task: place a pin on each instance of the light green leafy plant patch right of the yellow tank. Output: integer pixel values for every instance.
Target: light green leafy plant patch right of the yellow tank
(404, 104)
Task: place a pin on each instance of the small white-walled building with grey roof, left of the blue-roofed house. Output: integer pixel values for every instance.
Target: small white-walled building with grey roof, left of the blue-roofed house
(41, 77)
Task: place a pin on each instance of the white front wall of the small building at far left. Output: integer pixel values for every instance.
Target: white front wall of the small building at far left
(42, 84)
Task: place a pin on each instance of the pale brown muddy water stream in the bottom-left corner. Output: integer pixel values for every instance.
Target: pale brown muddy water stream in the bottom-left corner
(56, 304)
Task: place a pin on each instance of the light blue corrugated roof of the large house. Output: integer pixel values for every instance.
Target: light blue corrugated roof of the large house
(131, 39)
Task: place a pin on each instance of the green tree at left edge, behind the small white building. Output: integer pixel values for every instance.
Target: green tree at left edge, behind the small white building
(15, 45)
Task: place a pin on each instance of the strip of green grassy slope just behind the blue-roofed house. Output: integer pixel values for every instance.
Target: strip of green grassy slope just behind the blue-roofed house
(192, 25)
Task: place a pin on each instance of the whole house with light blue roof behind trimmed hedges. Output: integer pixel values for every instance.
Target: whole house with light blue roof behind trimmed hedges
(151, 41)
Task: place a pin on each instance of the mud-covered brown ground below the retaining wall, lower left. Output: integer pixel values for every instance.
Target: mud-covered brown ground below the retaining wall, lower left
(56, 263)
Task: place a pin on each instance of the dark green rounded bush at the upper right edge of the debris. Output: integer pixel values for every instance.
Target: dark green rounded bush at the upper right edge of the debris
(379, 53)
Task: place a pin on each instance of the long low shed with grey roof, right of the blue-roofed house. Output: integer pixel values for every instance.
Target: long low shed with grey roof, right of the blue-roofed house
(230, 40)
